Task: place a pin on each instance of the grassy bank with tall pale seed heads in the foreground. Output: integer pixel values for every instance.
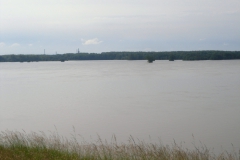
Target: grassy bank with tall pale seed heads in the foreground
(24, 146)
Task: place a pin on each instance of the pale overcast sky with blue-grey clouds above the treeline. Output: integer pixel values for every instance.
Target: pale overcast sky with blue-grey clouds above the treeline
(63, 26)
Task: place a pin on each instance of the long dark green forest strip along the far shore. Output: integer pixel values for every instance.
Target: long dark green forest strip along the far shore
(171, 55)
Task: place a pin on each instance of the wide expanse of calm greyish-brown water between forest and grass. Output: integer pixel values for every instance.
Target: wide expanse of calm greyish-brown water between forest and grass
(164, 100)
